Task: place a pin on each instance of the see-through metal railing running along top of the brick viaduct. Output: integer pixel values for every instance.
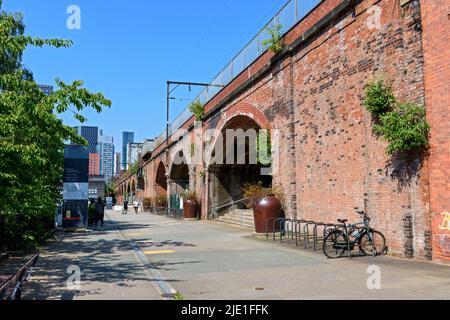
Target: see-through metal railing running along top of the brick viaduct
(291, 13)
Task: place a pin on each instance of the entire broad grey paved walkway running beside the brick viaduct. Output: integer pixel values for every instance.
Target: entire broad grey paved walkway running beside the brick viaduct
(204, 260)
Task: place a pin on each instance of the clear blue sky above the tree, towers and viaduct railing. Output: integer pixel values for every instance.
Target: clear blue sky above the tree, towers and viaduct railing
(129, 49)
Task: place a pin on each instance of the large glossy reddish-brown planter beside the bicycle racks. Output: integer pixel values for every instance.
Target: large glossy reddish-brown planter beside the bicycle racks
(267, 208)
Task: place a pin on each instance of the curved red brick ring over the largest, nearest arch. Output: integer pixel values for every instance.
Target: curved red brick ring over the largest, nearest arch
(241, 109)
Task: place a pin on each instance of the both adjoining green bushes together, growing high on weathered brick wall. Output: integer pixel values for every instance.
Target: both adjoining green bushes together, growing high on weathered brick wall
(403, 125)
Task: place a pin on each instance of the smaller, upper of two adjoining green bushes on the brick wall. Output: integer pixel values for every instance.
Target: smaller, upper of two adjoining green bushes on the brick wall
(379, 98)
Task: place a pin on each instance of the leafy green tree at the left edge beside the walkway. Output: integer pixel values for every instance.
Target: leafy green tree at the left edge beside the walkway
(32, 136)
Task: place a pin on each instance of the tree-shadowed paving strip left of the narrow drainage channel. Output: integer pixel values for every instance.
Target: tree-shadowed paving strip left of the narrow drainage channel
(109, 269)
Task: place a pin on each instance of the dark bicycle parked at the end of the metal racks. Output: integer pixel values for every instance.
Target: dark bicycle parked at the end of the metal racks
(346, 237)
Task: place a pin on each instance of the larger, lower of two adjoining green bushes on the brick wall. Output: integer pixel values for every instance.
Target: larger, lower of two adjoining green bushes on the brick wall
(406, 129)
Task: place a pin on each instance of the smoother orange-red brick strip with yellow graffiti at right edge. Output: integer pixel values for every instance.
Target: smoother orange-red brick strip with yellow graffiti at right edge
(436, 47)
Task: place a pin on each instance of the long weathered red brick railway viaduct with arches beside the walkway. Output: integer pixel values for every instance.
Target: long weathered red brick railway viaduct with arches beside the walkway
(331, 162)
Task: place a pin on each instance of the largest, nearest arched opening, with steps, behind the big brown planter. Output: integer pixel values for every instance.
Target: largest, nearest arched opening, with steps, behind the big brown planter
(237, 165)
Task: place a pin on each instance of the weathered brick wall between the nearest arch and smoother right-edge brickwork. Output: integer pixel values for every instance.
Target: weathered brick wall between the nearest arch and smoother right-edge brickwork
(333, 163)
